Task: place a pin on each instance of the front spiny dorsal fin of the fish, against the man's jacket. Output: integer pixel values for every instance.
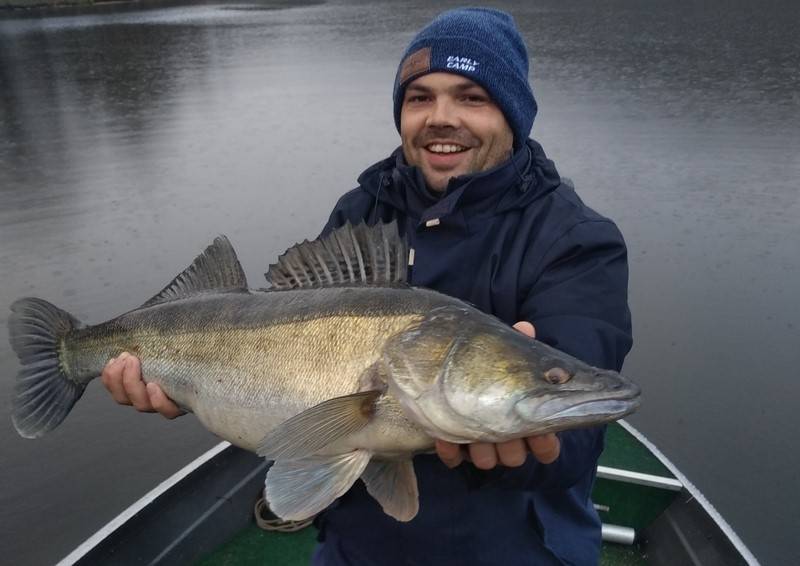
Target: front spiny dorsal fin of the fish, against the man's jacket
(350, 255)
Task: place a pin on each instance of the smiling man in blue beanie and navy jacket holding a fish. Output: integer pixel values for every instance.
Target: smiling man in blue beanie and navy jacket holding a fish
(490, 222)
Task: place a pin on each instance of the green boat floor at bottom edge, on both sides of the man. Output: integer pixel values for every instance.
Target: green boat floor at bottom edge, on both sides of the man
(254, 546)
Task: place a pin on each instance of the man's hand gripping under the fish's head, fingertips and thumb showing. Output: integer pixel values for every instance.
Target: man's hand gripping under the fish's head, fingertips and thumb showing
(484, 455)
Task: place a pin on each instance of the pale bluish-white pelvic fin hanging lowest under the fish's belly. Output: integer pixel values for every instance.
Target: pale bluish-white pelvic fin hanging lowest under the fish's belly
(299, 489)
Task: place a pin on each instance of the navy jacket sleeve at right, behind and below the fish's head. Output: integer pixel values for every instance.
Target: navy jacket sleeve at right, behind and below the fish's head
(577, 300)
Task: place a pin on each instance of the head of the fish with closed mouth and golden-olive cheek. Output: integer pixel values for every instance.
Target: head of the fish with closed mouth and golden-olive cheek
(466, 376)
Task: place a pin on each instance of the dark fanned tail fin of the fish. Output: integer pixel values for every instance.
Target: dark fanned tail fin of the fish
(43, 394)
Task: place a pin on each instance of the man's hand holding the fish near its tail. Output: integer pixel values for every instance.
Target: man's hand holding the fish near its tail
(122, 376)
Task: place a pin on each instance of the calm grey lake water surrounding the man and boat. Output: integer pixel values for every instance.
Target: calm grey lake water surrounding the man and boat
(131, 135)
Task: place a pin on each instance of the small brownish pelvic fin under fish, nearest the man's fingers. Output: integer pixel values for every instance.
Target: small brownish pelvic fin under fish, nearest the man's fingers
(394, 485)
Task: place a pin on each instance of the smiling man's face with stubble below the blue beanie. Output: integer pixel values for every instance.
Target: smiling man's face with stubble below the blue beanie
(450, 127)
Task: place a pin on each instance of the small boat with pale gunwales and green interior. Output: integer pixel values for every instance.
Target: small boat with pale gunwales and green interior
(204, 515)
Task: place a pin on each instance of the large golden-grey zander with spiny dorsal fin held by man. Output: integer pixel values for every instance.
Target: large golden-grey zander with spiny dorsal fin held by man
(339, 370)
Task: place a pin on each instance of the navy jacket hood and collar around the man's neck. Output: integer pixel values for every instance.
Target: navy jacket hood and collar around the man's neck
(527, 176)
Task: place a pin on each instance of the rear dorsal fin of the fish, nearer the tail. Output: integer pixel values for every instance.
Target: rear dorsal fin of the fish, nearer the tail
(216, 269)
